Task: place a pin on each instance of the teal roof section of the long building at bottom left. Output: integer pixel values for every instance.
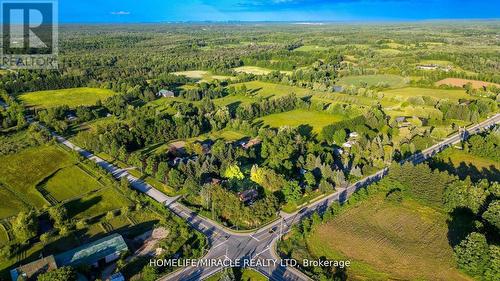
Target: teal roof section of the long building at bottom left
(93, 252)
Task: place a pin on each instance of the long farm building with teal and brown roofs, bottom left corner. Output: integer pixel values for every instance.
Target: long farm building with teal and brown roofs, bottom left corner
(102, 251)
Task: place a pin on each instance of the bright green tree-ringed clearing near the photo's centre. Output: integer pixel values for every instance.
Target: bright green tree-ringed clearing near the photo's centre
(294, 118)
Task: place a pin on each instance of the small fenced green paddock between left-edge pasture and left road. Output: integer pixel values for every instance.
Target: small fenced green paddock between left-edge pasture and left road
(70, 182)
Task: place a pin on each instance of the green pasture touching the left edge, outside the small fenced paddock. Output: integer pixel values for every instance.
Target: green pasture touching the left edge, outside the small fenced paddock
(21, 172)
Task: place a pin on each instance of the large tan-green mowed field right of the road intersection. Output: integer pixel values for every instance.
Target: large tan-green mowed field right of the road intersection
(389, 241)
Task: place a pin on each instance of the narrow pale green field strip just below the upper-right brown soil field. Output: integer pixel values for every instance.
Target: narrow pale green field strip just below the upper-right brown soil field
(436, 93)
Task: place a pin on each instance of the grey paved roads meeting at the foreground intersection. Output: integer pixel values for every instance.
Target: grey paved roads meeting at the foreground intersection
(257, 247)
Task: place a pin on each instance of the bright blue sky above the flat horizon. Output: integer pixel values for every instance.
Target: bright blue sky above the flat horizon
(104, 11)
